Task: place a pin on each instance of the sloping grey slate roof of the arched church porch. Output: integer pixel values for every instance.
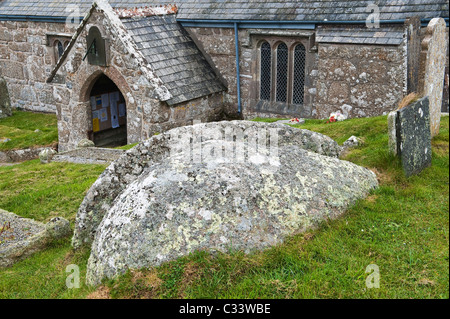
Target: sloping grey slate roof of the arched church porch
(173, 57)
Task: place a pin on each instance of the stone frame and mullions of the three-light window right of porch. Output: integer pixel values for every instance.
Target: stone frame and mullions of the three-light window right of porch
(291, 42)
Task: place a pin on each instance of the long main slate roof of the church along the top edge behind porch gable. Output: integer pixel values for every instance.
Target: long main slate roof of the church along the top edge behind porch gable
(299, 10)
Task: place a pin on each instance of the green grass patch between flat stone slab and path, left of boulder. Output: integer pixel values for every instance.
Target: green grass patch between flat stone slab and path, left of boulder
(38, 191)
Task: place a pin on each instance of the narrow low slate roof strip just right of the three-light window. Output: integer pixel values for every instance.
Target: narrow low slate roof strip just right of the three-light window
(382, 35)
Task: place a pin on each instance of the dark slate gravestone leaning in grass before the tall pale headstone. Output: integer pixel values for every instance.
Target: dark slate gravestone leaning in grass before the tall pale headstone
(413, 136)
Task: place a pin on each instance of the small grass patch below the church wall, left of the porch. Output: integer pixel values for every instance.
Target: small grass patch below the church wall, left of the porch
(20, 127)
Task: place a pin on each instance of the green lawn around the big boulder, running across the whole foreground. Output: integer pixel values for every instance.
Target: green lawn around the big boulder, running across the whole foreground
(402, 227)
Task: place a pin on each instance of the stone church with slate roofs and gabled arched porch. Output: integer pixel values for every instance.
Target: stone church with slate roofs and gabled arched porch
(118, 72)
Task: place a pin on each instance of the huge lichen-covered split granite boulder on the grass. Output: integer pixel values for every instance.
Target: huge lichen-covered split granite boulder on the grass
(155, 204)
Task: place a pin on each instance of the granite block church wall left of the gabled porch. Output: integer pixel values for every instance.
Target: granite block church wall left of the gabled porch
(26, 60)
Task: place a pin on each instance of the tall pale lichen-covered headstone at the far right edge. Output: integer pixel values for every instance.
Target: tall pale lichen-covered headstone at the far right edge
(434, 48)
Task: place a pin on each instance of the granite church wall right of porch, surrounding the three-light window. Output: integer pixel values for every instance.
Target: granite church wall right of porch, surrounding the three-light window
(359, 80)
